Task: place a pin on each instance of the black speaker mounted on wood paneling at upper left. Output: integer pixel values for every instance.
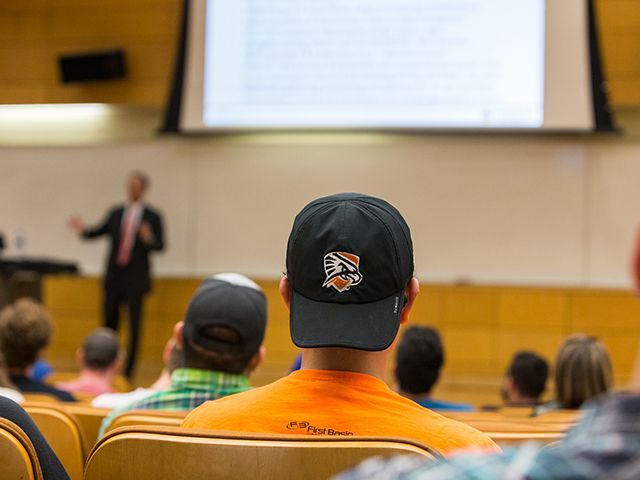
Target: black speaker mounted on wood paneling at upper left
(92, 66)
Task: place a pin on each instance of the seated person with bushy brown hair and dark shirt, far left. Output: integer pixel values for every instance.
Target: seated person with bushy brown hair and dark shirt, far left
(25, 331)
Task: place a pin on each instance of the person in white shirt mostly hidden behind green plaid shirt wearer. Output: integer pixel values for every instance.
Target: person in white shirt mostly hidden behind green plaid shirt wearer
(172, 358)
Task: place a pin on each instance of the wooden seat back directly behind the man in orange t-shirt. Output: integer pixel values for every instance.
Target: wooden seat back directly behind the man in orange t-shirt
(144, 453)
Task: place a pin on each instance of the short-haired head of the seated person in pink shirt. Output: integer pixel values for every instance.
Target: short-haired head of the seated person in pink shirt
(100, 351)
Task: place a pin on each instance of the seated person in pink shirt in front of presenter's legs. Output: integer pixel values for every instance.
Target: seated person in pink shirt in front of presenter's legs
(100, 361)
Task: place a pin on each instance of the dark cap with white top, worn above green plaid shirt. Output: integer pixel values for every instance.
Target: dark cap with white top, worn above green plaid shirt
(230, 300)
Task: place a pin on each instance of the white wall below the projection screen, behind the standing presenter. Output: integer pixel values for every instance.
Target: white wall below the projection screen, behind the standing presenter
(529, 210)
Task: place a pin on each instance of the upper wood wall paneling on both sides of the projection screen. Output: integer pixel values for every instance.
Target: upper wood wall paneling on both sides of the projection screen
(34, 32)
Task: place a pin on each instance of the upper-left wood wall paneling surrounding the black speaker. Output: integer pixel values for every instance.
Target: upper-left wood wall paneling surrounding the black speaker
(34, 33)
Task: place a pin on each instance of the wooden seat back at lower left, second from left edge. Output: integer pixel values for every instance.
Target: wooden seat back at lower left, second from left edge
(62, 432)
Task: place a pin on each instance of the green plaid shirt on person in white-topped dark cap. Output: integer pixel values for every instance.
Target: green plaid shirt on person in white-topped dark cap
(190, 388)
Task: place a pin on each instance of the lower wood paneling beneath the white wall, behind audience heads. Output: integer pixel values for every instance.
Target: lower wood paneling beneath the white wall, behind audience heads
(482, 327)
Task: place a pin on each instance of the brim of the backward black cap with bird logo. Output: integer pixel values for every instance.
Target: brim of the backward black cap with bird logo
(364, 326)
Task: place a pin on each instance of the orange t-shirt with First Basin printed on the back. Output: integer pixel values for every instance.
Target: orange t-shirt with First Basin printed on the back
(325, 402)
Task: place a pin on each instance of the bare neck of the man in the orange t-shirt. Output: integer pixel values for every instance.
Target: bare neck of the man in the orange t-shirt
(346, 360)
